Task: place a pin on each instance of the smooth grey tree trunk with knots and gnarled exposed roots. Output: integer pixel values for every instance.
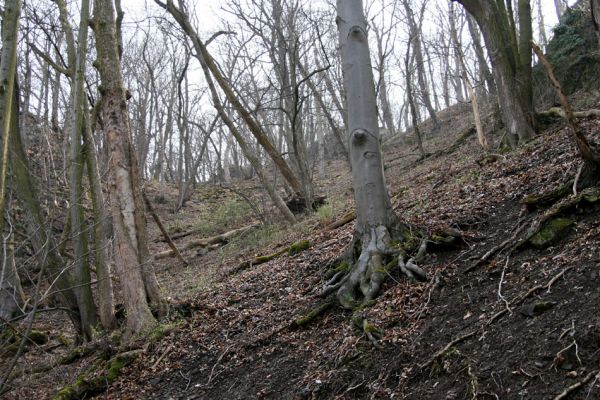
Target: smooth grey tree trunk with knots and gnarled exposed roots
(376, 223)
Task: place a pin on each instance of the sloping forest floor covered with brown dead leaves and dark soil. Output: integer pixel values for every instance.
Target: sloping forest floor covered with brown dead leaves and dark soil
(524, 324)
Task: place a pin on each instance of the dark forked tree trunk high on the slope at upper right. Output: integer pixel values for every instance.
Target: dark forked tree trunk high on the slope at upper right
(511, 62)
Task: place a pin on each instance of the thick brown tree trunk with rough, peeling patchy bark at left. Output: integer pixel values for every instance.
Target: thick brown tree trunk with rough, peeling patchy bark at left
(138, 281)
